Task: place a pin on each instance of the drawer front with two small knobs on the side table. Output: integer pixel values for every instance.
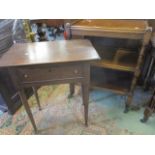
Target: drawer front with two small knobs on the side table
(44, 73)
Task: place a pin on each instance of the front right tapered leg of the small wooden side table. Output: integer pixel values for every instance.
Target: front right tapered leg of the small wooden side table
(85, 96)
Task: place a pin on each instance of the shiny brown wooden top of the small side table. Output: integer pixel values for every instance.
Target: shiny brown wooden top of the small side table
(63, 51)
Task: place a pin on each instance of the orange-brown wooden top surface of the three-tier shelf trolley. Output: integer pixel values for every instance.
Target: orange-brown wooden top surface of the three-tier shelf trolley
(135, 26)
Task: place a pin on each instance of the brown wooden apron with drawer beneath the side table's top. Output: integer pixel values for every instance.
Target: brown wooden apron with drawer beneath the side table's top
(29, 76)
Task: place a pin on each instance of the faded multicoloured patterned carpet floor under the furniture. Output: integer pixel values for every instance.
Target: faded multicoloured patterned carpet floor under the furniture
(62, 115)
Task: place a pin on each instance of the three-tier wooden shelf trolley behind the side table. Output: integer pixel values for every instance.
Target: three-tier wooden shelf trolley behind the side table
(119, 60)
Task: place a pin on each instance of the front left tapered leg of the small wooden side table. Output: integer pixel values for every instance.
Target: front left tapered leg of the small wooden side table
(27, 108)
